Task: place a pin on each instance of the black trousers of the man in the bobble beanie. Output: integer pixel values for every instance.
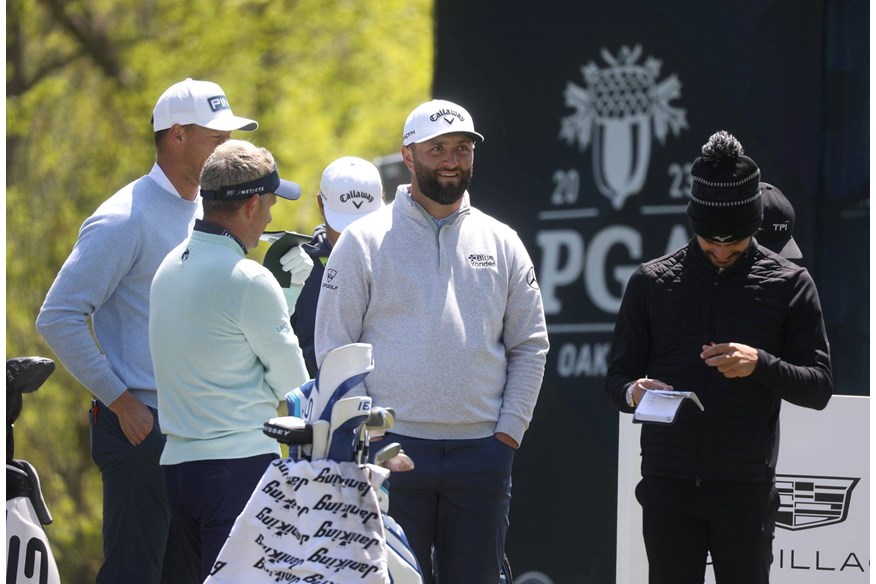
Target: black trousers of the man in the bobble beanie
(683, 523)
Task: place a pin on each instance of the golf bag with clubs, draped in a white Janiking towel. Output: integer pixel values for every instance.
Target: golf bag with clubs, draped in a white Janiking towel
(320, 514)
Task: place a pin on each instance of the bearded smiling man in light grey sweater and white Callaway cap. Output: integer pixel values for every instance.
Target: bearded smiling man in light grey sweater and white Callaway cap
(447, 296)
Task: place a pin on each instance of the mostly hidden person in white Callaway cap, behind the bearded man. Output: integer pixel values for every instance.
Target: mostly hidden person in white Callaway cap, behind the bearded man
(349, 189)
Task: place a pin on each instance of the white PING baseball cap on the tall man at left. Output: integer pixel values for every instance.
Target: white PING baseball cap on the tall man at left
(197, 102)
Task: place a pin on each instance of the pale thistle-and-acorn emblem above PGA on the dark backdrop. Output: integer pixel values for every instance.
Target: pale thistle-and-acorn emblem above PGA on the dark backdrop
(616, 111)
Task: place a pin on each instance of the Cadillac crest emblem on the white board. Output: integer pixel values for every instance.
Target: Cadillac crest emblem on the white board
(806, 502)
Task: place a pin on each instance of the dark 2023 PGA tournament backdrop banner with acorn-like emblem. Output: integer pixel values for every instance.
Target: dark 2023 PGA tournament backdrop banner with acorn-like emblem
(592, 114)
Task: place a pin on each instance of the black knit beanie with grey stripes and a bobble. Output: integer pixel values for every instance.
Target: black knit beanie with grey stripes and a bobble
(725, 201)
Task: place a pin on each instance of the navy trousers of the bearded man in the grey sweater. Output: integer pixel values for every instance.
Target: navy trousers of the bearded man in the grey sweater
(456, 499)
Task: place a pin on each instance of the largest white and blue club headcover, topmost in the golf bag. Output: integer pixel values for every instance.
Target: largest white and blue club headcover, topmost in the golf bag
(342, 369)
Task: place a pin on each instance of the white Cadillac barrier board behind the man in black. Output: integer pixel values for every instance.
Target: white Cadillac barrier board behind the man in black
(823, 477)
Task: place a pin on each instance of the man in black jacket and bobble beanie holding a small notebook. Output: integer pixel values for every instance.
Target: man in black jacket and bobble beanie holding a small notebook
(742, 328)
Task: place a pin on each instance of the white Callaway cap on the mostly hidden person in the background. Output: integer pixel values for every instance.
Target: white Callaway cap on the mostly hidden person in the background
(350, 188)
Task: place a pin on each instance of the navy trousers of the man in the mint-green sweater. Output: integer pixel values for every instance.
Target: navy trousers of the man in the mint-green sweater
(206, 496)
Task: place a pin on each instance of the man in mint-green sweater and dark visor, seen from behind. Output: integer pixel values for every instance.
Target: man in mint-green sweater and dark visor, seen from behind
(223, 350)
